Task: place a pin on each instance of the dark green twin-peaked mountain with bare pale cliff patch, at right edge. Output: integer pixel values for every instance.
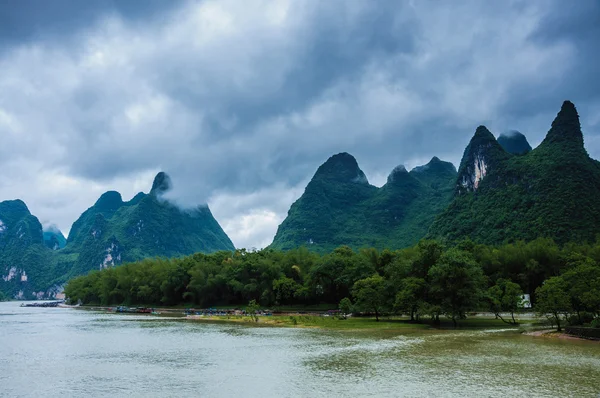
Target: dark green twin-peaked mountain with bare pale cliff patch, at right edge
(551, 191)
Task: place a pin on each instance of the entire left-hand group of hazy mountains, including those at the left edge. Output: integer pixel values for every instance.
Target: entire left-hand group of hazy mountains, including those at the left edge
(109, 233)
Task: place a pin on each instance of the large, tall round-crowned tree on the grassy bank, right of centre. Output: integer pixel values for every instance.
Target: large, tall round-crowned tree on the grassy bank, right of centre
(456, 281)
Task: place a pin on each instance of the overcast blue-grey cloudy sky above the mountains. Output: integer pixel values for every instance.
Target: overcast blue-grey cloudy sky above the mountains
(241, 101)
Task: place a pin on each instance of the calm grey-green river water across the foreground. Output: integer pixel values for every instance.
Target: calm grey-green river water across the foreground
(74, 353)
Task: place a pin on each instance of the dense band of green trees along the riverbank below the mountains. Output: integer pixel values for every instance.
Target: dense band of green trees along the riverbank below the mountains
(427, 280)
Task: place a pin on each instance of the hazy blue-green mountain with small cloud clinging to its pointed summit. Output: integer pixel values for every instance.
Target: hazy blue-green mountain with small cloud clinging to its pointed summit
(113, 231)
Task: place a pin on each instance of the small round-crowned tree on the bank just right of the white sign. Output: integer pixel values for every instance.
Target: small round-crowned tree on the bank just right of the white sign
(553, 300)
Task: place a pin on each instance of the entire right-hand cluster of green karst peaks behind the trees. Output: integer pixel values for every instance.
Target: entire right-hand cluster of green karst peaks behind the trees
(504, 191)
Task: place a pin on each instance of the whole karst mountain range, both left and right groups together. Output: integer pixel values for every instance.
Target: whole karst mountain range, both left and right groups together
(503, 191)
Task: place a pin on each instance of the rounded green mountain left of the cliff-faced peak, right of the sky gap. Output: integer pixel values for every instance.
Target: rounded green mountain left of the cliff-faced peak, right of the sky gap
(340, 207)
